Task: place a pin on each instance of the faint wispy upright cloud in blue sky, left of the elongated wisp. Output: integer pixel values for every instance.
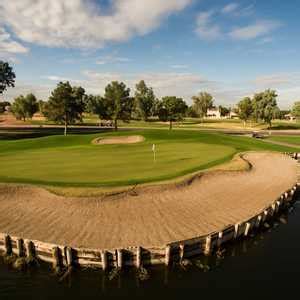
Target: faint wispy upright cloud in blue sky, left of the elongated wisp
(205, 29)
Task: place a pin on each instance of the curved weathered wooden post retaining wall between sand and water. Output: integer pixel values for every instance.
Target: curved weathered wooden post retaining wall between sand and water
(64, 256)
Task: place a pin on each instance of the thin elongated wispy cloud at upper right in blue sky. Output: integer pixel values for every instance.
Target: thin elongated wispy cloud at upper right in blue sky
(252, 31)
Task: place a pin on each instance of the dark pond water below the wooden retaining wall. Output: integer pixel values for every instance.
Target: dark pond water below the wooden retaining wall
(266, 261)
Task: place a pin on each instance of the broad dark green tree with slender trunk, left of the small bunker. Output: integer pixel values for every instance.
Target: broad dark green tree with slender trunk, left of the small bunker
(63, 106)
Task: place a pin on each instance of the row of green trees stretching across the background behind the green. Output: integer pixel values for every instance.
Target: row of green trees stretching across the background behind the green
(67, 104)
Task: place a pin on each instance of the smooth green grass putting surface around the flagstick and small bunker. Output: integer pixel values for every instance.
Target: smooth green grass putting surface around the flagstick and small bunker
(75, 161)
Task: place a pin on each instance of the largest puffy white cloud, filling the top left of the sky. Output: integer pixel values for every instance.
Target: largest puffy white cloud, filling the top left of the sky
(84, 23)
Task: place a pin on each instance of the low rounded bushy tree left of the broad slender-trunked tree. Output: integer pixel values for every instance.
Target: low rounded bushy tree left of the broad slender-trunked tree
(25, 107)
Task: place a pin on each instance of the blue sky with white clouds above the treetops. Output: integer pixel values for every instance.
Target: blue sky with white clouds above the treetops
(230, 49)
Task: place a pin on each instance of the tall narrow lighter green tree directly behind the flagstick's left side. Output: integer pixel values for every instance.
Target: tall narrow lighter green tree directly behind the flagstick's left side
(145, 100)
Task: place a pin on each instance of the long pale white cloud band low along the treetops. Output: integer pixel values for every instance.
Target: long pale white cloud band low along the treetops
(182, 84)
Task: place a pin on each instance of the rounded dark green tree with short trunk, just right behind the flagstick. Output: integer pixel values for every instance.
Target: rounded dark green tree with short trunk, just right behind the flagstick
(172, 109)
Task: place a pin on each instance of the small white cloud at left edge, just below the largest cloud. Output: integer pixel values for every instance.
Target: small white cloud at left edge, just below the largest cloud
(9, 47)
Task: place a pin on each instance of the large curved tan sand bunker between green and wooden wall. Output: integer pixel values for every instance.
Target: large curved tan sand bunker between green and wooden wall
(151, 216)
